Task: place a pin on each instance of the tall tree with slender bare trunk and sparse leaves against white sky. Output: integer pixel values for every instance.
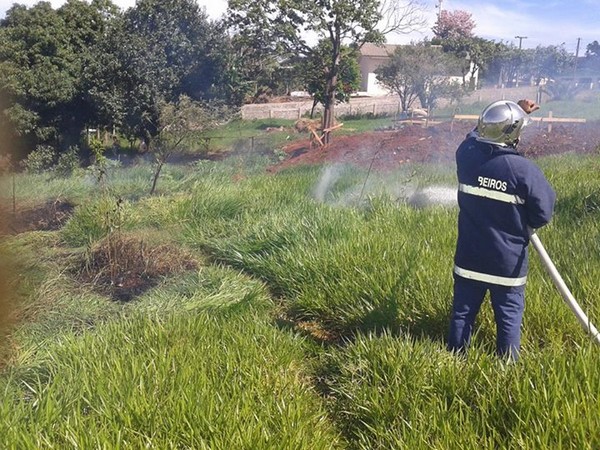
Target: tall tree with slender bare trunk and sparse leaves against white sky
(341, 22)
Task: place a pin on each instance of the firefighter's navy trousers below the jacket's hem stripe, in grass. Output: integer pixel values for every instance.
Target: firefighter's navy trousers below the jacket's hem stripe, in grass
(508, 304)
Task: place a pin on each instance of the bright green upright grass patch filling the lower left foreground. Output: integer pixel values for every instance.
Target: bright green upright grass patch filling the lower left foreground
(194, 381)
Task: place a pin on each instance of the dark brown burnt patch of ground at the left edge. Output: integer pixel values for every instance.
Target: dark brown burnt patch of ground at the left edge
(49, 216)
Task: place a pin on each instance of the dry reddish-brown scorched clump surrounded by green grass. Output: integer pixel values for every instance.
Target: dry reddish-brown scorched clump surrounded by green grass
(124, 267)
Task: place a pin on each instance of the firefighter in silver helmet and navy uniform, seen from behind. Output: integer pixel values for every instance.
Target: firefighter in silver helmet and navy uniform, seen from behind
(502, 198)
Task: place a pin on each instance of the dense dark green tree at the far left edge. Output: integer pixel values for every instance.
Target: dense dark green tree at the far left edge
(42, 55)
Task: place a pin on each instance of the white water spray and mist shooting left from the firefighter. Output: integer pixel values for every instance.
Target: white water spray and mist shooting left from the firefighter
(339, 186)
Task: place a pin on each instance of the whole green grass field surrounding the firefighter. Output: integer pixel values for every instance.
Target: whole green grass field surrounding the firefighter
(313, 317)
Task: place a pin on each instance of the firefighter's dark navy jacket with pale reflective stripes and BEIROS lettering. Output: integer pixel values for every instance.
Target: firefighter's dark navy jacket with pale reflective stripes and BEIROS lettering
(500, 195)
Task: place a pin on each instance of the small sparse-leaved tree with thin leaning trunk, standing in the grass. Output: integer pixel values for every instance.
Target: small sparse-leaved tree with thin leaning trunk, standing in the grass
(180, 124)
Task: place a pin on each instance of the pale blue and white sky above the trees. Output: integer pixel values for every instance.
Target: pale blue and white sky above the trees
(539, 22)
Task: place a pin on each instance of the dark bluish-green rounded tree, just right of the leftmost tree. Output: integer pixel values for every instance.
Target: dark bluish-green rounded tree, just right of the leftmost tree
(156, 52)
